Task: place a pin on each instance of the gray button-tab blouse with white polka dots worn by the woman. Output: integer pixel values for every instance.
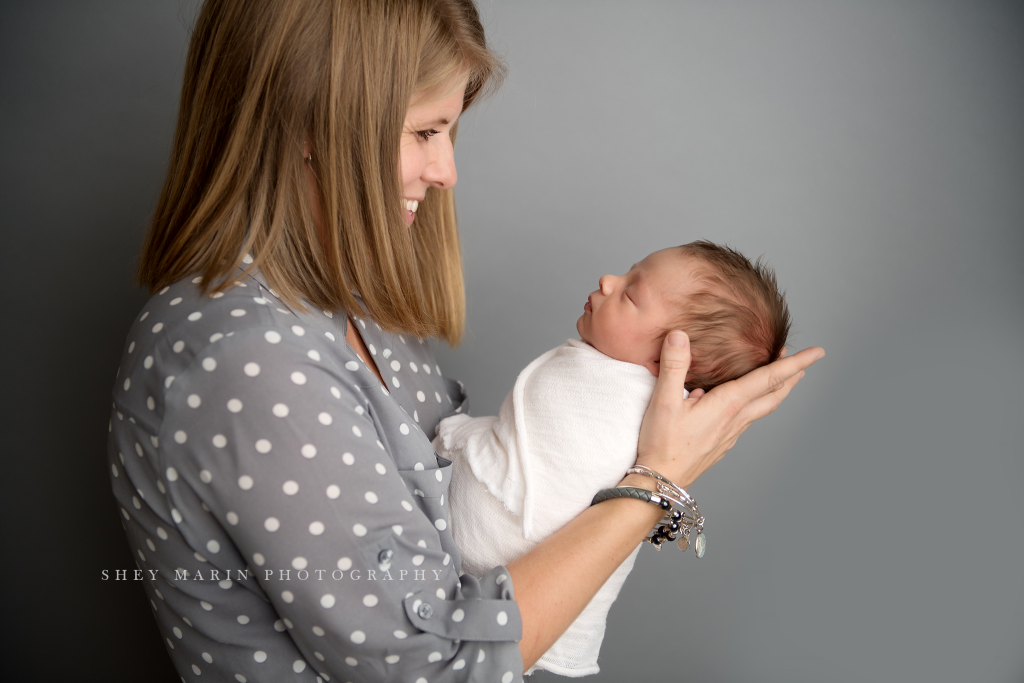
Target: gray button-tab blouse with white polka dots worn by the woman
(287, 513)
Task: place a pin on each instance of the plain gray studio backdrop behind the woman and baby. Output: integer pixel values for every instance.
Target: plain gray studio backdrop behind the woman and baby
(871, 530)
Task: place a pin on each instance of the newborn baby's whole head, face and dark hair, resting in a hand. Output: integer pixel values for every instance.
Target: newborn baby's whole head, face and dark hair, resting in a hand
(733, 311)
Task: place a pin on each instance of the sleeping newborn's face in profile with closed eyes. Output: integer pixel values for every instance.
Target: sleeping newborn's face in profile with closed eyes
(626, 317)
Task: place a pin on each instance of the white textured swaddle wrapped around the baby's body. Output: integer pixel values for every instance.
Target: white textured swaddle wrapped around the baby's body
(568, 430)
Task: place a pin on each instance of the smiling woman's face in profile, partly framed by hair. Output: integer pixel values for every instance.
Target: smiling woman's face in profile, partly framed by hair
(426, 154)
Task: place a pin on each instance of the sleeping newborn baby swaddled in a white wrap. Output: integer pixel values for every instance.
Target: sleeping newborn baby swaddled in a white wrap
(571, 424)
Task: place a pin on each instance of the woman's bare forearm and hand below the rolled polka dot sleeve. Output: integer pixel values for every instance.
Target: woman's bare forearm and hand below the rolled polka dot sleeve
(680, 439)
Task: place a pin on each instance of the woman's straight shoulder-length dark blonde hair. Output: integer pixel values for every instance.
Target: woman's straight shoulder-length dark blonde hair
(266, 77)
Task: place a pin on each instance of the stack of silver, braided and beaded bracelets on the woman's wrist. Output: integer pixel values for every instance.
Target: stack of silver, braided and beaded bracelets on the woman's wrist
(681, 517)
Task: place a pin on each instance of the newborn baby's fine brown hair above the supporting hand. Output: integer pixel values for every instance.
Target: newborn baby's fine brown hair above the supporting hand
(738, 319)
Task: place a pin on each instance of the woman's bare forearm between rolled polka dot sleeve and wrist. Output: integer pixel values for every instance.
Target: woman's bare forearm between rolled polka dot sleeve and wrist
(557, 580)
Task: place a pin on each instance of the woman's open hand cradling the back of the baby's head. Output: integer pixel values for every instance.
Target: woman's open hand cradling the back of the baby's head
(682, 438)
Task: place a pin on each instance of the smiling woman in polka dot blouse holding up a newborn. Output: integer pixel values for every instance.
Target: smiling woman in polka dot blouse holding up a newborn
(269, 440)
